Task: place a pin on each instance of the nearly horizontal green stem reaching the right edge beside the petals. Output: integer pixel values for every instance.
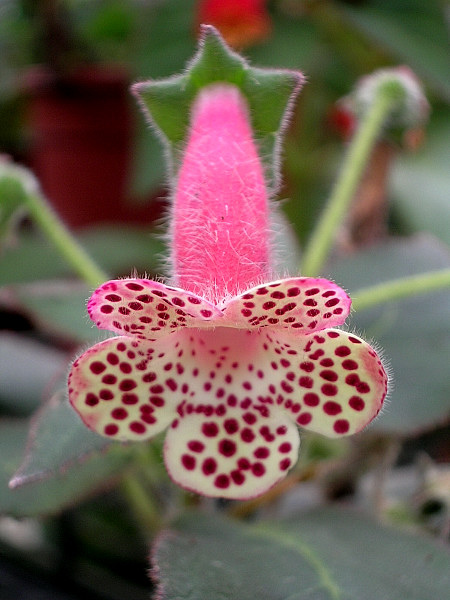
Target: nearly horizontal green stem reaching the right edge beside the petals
(397, 289)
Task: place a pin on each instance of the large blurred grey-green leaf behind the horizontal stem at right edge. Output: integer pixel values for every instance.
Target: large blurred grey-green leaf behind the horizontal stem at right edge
(414, 333)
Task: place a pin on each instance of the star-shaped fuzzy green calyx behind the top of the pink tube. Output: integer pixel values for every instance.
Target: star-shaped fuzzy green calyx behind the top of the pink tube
(268, 93)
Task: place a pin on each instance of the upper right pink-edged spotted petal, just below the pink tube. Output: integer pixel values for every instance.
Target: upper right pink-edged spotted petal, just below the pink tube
(301, 304)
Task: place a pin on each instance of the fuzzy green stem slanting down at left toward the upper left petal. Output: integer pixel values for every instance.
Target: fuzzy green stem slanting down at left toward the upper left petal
(60, 236)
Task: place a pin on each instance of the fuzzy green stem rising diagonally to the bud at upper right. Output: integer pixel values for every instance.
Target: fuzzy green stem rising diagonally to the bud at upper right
(353, 168)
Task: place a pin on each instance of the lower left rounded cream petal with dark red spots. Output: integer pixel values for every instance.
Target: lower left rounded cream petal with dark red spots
(116, 388)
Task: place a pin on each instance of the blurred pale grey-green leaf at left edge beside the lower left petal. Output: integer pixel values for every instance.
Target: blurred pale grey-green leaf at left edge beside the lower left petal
(27, 369)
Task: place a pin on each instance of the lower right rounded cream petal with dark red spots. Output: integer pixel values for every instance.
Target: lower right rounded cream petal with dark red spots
(333, 383)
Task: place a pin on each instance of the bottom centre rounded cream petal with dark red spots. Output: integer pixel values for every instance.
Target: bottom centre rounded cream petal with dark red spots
(237, 451)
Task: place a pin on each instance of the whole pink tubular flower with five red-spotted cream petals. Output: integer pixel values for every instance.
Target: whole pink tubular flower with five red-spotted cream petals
(226, 359)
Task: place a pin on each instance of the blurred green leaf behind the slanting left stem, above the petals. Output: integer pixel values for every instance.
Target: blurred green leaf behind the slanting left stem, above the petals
(118, 250)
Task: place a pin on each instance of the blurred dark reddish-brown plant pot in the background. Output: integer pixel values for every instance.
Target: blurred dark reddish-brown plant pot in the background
(81, 136)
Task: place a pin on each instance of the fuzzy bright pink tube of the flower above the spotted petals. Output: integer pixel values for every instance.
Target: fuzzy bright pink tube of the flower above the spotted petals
(220, 218)
